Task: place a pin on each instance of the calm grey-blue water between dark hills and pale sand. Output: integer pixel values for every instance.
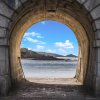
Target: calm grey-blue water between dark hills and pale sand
(48, 68)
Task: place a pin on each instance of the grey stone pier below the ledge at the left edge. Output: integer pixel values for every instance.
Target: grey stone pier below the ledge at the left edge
(4, 70)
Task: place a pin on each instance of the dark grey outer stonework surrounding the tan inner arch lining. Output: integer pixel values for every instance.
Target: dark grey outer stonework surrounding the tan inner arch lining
(11, 11)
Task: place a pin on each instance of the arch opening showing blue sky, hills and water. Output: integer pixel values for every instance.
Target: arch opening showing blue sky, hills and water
(49, 50)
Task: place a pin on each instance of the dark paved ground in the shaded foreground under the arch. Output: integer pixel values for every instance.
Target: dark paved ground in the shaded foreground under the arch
(39, 91)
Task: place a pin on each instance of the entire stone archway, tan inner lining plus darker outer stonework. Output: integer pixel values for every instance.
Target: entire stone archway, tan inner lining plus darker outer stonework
(72, 13)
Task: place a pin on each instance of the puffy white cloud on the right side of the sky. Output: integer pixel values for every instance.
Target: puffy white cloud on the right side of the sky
(67, 44)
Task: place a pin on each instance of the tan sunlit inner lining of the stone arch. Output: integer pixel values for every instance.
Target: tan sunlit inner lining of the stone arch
(68, 20)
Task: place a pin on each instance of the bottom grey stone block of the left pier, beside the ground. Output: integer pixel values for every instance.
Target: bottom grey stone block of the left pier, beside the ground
(4, 84)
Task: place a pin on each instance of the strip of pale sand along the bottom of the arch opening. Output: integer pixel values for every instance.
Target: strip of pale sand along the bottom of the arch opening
(61, 81)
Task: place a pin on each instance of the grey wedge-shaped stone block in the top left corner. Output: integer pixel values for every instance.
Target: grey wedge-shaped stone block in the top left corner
(5, 10)
